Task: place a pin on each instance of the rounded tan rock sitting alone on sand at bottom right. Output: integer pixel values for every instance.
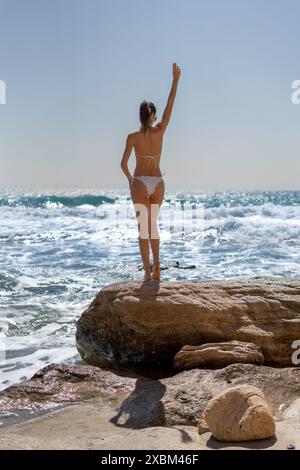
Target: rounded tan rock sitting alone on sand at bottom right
(238, 414)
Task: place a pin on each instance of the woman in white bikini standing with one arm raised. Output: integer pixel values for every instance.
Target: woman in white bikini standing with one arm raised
(147, 185)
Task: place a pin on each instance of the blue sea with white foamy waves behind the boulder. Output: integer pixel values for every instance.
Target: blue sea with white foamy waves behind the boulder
(58, 249)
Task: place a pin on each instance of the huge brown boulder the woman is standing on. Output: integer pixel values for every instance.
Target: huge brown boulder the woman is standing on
(131, 323)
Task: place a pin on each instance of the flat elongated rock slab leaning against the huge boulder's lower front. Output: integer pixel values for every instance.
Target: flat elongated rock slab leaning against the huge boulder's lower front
(217, 355)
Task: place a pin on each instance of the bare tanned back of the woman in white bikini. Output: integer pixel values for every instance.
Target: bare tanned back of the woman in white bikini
(147, 144)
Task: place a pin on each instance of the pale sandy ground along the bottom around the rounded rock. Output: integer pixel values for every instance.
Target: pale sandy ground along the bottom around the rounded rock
(87, 426)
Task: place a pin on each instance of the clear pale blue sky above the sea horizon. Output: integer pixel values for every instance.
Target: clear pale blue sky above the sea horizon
(76, 72)
